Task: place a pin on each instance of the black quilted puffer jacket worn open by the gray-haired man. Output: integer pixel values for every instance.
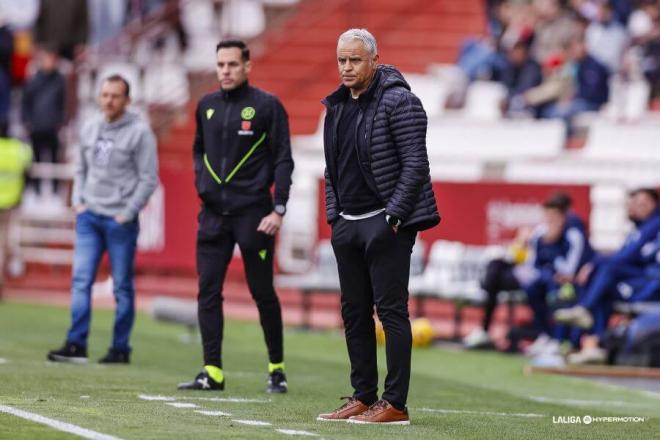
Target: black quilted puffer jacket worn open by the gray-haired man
(395, 163)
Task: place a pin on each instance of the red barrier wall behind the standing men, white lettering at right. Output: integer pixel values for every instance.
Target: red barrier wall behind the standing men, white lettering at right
(473, 213)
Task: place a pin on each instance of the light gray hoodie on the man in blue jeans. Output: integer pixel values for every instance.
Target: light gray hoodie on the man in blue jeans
(117, 170)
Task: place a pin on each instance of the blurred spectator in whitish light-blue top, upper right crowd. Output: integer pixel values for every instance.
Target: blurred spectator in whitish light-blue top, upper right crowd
(606, 38)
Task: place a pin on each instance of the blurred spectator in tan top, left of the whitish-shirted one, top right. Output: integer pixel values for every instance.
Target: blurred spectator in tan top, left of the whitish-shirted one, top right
(553, 31)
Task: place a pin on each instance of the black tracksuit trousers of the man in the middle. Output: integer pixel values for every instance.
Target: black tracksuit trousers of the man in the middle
(216, 238)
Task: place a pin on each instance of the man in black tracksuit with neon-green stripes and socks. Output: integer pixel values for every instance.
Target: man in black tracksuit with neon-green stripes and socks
(241, 148)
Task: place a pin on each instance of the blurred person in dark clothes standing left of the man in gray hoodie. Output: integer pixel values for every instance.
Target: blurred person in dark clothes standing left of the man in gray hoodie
(43, 108)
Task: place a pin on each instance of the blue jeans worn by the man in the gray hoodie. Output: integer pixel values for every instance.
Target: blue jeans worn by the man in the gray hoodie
(94, 235)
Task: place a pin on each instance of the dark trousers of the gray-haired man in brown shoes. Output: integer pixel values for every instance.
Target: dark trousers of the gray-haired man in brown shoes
(374, 267)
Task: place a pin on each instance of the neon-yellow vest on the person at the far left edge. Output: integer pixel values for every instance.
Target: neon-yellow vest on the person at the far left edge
(15, 158)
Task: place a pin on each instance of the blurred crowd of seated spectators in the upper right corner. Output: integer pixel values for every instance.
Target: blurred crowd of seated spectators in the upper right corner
(557, 58)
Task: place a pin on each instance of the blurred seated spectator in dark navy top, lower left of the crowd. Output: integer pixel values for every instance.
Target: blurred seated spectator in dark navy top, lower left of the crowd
(518, 72)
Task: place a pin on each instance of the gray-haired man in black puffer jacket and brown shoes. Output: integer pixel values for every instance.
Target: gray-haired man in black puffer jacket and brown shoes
(378, 195)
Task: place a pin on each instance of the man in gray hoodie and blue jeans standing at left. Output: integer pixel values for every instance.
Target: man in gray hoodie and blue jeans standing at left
(116, 174)
